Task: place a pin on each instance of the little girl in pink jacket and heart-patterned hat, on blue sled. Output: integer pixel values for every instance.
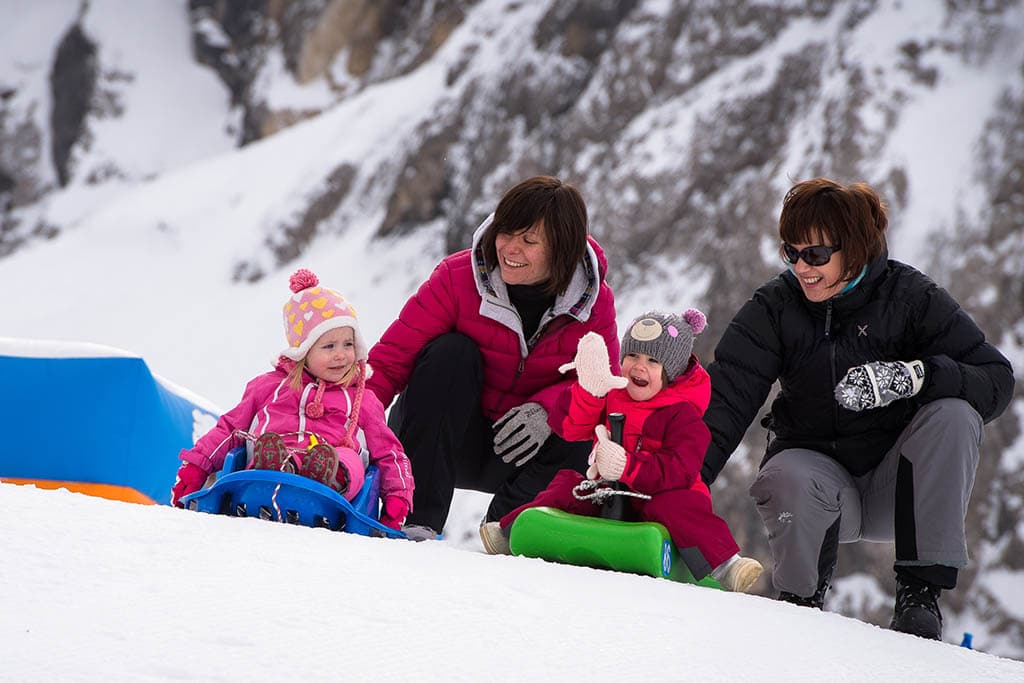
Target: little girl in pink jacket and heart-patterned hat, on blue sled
(304, 417)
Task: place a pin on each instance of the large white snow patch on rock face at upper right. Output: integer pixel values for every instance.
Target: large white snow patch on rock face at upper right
(934, 141)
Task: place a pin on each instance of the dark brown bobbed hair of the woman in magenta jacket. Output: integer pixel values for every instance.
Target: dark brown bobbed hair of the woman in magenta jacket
(562, 208)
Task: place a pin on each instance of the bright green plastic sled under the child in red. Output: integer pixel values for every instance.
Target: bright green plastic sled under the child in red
(644, 548)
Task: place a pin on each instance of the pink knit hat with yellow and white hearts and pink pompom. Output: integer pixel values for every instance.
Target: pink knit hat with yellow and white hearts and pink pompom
(312, 311)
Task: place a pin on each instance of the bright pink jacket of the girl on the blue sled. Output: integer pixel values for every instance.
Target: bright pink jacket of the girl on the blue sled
(271, 405)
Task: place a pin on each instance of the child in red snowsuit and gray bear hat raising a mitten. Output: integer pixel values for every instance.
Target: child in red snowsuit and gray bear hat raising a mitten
(663, 393)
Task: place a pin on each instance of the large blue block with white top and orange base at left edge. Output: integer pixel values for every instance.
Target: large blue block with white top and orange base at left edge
(95, 420)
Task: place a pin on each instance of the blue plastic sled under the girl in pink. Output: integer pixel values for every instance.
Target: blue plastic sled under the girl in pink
(242, 493)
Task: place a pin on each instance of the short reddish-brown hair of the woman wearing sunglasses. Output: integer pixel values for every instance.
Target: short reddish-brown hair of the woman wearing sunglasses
(852, 218)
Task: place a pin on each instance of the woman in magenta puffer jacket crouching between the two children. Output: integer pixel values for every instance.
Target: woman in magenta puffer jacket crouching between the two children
(475, 355)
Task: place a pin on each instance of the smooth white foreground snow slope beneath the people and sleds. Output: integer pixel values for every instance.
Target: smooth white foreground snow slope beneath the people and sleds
(97, 590)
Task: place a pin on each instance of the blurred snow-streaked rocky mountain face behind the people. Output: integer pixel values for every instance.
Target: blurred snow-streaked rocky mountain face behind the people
(684, 123)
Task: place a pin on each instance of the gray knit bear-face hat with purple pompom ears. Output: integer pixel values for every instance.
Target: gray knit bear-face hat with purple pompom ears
(666, 337)
